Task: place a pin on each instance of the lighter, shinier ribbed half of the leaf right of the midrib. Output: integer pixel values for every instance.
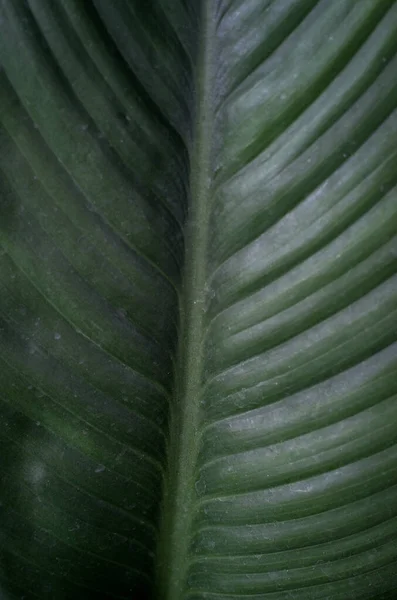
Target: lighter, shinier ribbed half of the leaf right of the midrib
(296, 478)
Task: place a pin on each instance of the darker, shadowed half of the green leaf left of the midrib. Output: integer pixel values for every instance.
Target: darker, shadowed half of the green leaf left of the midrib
(94, 184)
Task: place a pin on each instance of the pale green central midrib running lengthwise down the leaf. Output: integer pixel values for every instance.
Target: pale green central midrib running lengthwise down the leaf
(179, 495)
